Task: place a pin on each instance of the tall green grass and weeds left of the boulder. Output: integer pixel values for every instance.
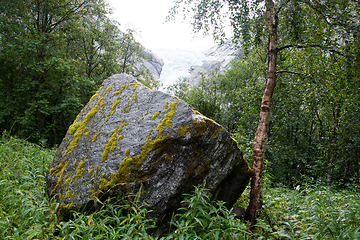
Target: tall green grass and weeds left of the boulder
(23, 203)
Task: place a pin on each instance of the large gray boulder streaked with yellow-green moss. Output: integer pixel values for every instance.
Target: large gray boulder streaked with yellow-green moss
(129, 138)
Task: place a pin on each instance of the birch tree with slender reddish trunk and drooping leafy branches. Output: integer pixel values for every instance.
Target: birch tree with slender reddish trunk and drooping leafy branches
(287, 26)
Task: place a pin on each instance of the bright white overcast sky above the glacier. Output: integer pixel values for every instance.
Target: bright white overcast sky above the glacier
(148, 18)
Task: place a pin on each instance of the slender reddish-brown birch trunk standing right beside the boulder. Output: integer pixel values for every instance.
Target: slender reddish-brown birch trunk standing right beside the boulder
(255, 204)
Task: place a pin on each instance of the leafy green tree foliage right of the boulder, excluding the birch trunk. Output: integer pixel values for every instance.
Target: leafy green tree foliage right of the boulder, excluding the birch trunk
(314, 125)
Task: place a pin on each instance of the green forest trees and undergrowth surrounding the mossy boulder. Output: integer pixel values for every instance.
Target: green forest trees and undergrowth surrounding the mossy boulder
(54, 55)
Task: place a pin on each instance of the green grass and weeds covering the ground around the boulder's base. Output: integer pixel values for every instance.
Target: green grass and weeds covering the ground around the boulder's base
(313, 212)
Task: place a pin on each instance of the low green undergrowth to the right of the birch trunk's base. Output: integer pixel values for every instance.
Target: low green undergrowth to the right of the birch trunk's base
(314, 212)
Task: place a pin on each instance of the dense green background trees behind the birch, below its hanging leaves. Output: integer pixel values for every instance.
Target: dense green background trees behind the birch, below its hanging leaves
(313, 132)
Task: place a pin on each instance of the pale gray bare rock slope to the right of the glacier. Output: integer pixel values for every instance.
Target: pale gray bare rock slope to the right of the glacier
(221, 57)
